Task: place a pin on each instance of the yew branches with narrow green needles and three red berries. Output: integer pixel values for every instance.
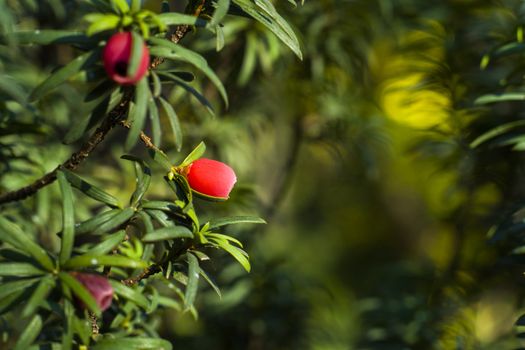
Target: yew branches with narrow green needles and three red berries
(80, 266)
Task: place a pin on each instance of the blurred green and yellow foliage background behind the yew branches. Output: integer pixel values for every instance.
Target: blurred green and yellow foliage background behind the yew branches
(358, 157)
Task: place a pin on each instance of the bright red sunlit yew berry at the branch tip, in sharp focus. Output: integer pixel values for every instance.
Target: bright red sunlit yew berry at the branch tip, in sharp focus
(211, 177)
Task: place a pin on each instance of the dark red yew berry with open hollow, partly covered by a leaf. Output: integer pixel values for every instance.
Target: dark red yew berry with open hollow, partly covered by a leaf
(116, 56)
